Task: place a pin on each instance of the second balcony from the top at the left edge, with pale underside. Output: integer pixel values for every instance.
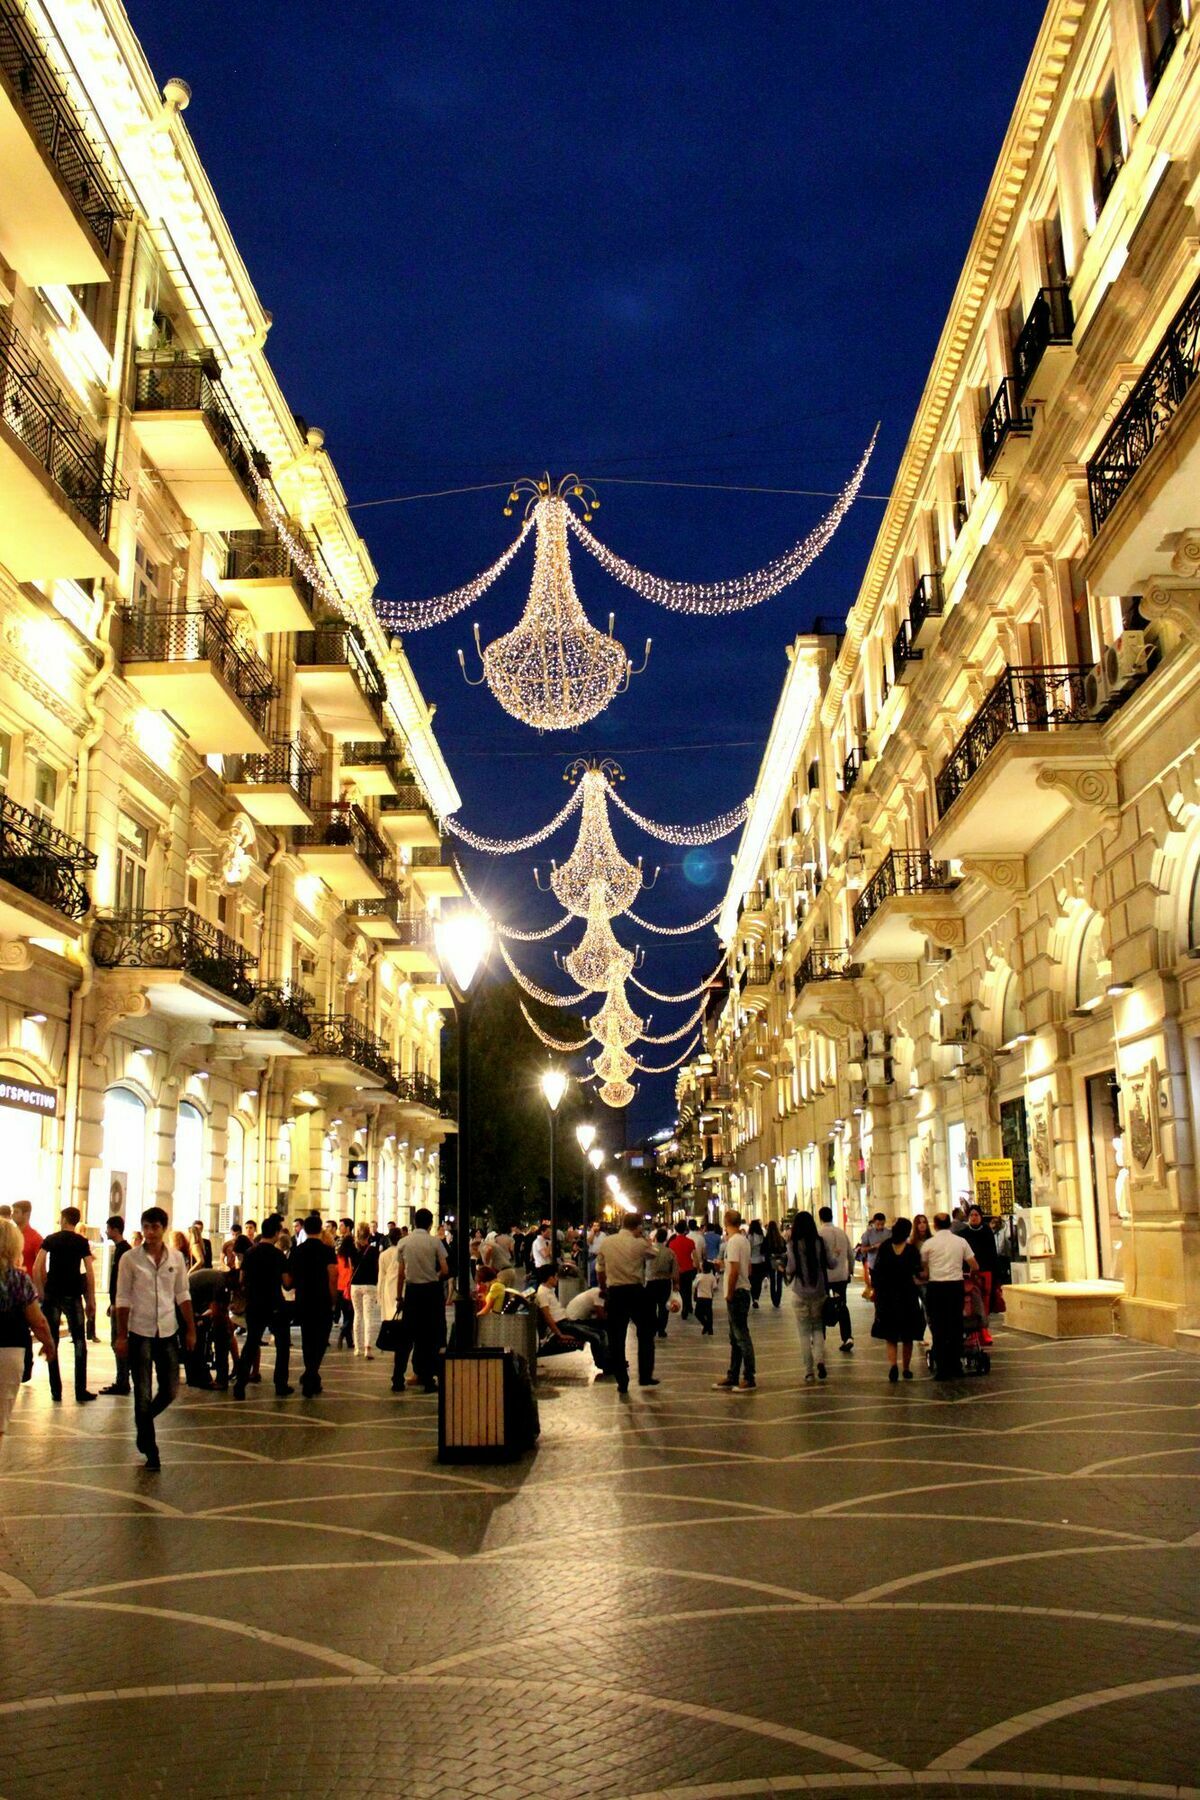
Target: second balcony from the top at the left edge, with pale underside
(57, 489)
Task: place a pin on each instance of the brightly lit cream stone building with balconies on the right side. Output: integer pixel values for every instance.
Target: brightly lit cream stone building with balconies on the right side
(974, 849)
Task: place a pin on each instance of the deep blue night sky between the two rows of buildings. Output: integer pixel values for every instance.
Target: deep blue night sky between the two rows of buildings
(668, 242)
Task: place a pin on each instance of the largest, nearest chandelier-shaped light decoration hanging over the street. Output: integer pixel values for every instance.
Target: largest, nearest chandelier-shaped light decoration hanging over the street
(555, 670)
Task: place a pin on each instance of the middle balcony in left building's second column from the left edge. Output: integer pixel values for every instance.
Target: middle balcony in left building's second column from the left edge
(188, 661)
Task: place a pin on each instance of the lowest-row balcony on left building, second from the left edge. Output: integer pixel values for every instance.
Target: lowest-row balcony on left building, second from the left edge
(193, 969)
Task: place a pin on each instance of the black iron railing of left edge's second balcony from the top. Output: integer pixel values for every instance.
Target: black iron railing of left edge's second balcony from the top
(37, 411)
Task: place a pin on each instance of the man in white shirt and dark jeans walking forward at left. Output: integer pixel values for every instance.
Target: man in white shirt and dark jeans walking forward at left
(152, 1282)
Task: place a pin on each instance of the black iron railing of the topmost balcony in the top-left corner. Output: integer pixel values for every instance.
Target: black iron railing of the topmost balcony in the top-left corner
(57, 125)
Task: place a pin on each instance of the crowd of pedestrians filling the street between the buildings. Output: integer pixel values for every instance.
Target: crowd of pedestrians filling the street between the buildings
(174, 1304)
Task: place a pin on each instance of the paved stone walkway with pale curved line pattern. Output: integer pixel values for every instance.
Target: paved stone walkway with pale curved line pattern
(685, 1594)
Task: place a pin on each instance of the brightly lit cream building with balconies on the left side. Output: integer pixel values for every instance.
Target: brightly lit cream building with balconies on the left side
(217, 975)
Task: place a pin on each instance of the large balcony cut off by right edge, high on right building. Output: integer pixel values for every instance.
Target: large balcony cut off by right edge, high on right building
(1145, 476)
